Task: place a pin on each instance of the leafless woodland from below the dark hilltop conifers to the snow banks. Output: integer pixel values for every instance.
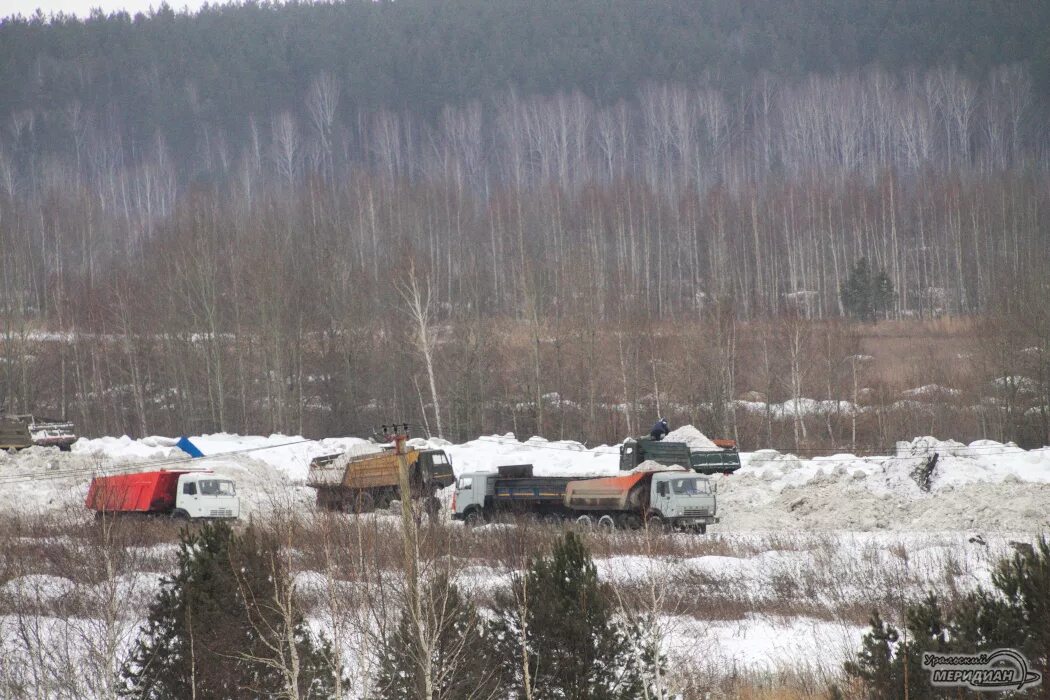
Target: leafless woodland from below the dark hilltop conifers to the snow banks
(576, 269)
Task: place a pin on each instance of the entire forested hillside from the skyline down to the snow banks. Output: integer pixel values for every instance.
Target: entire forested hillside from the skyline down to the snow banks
(537, 217)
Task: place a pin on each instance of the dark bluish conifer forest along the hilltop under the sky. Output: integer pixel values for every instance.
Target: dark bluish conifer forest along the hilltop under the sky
(177, 74)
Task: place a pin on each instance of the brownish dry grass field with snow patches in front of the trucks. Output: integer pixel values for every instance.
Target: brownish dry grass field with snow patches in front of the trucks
(717, 580)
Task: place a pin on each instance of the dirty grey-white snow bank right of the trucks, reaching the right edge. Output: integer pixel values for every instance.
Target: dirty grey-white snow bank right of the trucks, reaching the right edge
(977, 486)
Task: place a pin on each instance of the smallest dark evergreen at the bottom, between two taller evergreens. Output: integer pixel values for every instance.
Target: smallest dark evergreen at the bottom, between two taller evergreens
(453, 639)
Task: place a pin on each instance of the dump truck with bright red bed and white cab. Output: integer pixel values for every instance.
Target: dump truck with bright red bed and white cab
(179, 494)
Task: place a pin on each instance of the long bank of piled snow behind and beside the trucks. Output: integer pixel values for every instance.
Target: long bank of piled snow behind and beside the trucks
(981, 486)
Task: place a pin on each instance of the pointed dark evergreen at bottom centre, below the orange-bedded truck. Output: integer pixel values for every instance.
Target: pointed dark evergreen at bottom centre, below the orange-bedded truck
(575, 647)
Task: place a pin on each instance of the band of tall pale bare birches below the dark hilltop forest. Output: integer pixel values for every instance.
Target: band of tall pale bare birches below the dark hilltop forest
(679, 198)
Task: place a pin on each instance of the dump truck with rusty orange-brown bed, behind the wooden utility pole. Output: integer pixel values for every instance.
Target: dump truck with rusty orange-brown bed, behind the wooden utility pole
(359, 483)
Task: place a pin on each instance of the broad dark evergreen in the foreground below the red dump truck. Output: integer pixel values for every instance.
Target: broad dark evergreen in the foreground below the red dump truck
(220, 628)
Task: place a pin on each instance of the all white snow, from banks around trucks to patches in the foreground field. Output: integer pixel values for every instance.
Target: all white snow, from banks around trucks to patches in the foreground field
(805, 544)
